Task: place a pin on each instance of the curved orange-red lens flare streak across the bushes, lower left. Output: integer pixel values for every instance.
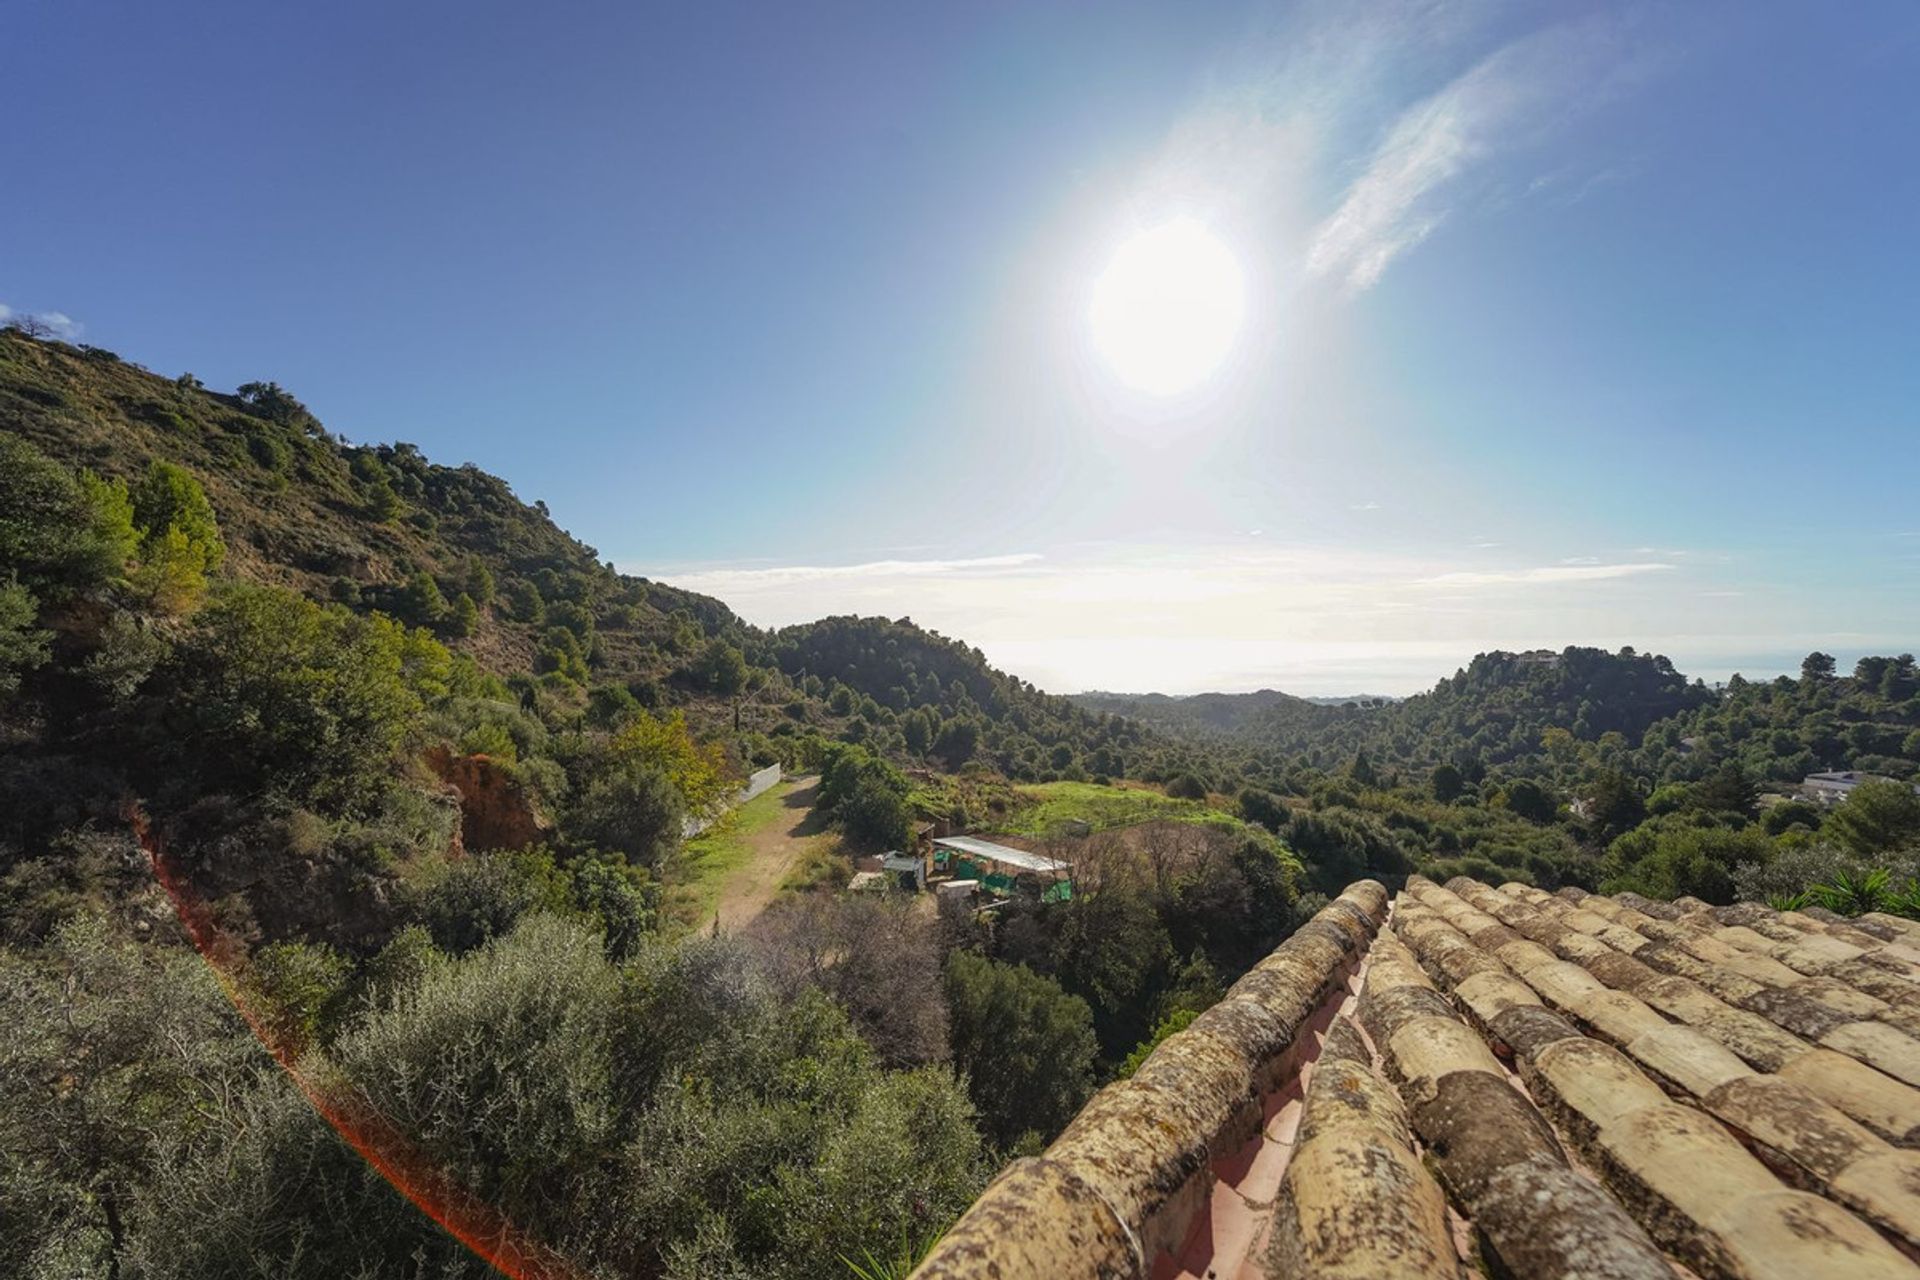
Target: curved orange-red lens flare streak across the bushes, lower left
(373, 1137)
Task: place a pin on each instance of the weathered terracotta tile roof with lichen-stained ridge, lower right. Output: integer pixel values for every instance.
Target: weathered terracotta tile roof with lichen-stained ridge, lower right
(1585, 1085)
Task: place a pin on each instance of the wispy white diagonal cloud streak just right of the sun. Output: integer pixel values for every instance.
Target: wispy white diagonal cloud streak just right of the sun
(1504, 103)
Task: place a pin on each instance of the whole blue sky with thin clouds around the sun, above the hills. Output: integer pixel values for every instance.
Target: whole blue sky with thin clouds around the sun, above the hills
(1562, 323)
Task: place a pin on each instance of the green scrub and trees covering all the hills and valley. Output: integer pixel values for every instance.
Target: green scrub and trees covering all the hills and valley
(427, 761)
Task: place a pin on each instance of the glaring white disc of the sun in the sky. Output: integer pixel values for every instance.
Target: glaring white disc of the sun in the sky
(1168, 308)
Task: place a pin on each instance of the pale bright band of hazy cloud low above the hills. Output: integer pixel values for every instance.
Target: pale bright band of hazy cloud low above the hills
(1241, 619)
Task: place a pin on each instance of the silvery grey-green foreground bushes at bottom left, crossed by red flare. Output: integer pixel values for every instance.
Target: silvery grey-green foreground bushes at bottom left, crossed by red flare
(675, 1118)
